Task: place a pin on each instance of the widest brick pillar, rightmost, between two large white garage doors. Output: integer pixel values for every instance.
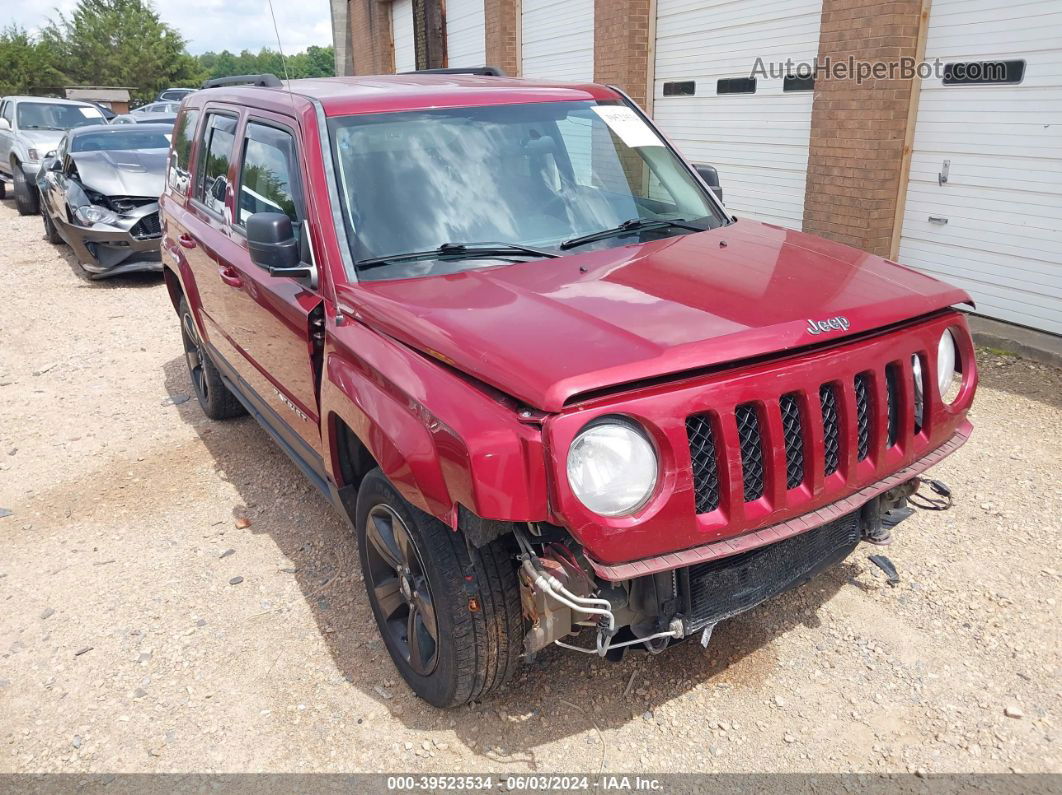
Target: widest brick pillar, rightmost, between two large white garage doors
(859, 131)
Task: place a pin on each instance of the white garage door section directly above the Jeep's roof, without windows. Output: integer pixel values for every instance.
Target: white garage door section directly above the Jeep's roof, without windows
(558, 40)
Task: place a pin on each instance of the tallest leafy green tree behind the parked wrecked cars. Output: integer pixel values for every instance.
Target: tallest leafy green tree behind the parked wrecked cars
(122, 43)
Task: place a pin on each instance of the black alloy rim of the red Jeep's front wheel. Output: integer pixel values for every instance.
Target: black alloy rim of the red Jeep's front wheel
(400, 590)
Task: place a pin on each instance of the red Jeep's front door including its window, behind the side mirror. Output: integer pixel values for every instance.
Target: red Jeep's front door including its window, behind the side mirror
(266, 319)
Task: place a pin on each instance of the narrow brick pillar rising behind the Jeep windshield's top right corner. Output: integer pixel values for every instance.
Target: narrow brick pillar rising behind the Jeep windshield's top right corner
(622, 45)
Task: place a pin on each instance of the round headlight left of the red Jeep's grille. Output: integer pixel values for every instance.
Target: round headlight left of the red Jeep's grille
(612, 468)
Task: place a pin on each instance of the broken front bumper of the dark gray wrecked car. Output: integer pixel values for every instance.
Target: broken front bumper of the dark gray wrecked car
(130, 245)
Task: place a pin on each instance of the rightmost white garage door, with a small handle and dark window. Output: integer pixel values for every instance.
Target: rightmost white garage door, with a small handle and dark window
(995, 228)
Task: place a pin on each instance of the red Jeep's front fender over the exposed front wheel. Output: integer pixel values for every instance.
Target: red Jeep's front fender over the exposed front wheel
(441, 440)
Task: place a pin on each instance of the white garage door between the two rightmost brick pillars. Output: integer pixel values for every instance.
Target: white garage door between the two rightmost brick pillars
(758, 141)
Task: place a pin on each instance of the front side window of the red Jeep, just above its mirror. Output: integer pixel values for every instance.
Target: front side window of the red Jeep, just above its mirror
(269, 175)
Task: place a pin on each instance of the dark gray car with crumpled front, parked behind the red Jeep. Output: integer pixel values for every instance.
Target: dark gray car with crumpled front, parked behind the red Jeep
(99, 194)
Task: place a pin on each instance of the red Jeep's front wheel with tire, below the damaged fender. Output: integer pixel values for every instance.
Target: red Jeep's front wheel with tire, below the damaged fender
(474, 596)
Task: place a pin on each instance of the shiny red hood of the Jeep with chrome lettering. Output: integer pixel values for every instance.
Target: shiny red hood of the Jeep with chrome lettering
(546, 331)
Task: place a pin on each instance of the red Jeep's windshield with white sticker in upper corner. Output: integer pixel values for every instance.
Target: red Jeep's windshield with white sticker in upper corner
(534, 175)
